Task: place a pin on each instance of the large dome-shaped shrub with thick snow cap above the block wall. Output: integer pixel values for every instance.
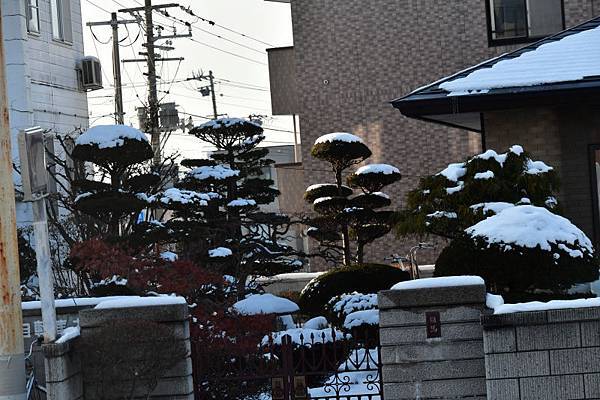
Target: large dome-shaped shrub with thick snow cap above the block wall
(523, 253)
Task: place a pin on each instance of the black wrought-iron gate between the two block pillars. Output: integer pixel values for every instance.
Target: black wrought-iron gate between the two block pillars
(326, 366)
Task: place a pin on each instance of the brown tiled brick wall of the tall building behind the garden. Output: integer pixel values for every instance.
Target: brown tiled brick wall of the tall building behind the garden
(353, 57)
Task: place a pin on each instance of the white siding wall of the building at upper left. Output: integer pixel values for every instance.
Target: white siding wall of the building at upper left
(43, 88)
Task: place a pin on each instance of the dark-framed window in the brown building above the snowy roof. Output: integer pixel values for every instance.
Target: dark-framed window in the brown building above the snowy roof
(517, 21)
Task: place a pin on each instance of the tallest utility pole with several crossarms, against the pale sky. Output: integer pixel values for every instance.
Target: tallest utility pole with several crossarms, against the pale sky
(153, 106)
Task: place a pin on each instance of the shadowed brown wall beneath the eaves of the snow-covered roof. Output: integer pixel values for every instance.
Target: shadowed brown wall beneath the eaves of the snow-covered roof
(561, 137)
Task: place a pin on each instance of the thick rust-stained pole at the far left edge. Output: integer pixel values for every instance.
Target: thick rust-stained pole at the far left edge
(12, 360)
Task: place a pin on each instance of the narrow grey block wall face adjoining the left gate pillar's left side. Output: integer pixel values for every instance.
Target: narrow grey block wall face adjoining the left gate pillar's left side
(63, 371)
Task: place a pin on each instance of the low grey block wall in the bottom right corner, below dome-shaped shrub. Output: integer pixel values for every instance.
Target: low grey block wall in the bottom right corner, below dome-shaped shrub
(551, 354)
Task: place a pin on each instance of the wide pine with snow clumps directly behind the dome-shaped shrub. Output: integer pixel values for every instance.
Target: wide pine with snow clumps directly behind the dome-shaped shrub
(447, 203)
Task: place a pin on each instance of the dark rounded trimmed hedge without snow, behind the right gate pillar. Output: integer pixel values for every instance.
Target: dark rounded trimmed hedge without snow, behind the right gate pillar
(364, 278)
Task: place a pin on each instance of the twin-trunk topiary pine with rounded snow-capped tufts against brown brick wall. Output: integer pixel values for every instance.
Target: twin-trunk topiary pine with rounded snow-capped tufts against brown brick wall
(342, 218)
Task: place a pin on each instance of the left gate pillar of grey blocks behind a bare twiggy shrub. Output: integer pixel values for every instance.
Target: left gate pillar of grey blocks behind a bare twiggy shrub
(177, 383)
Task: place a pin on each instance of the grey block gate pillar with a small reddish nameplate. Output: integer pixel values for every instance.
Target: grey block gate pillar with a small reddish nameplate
(447, 367)
